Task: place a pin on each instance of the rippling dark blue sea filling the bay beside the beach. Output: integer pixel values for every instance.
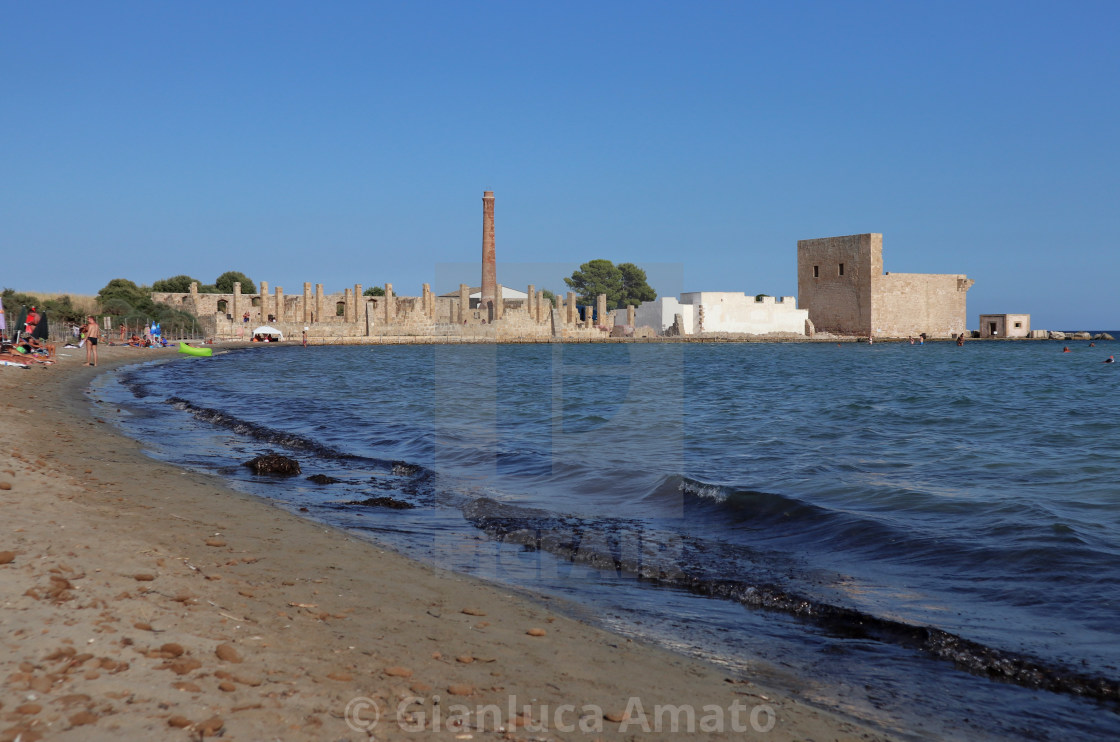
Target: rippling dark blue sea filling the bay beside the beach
(922, 536)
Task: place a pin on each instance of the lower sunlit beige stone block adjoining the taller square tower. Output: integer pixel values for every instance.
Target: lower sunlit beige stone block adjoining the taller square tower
(912, 304)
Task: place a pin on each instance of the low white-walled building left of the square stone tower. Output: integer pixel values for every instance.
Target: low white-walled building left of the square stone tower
(724, 312)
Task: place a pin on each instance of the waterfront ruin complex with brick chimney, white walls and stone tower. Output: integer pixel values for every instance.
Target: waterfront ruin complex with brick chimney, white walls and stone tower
(843, 289)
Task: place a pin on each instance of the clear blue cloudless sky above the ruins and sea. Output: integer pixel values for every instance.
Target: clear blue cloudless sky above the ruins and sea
(346, 143)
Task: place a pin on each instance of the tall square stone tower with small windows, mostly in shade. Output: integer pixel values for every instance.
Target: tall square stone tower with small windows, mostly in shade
(835, 281)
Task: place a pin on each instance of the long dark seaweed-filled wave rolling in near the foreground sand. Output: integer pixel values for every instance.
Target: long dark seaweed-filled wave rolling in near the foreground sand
(598, 545)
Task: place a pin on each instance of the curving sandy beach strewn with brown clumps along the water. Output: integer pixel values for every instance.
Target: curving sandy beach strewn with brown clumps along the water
(143, 601)
